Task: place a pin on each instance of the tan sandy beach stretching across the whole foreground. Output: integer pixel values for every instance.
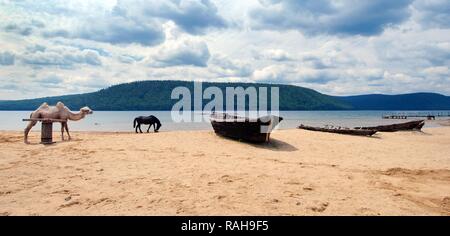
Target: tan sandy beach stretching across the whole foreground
(198, 173)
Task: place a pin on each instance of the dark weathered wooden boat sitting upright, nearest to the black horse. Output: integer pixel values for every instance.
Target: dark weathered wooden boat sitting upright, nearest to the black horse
(255, 130)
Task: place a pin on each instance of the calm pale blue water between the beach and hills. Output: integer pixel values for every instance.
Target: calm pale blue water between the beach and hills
(123, 120)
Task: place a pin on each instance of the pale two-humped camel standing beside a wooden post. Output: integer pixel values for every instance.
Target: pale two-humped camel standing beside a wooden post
(60, 112)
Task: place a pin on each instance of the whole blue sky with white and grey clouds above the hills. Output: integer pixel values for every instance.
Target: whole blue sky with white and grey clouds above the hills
(338, 47)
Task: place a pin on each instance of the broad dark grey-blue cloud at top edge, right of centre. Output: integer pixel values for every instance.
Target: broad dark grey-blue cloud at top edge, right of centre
(345, 17)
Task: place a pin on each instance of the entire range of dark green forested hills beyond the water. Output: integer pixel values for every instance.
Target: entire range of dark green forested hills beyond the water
(155, 95)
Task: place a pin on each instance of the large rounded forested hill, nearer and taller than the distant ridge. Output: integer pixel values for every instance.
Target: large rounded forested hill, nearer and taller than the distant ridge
(156, 95)
